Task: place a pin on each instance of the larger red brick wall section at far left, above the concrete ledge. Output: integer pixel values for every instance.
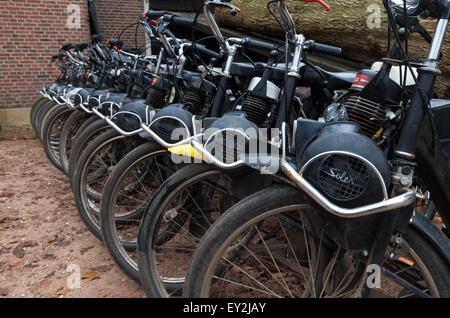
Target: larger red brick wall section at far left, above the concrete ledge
(31, 31)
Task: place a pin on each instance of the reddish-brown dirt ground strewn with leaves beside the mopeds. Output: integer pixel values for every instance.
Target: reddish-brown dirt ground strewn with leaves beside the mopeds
(41, 234)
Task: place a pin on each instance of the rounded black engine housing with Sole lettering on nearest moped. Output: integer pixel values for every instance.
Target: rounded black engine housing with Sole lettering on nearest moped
(350, 170)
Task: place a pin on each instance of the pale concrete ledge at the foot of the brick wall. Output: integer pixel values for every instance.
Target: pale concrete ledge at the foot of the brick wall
(15, 123)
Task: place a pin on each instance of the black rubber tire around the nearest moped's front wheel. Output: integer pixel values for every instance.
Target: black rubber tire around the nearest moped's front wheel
(252, 211)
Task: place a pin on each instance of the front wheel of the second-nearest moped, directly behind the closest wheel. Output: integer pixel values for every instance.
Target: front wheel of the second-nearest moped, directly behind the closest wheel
(181, 211)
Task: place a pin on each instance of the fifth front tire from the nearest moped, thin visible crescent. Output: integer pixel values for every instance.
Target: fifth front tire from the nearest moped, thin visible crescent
(91, 129)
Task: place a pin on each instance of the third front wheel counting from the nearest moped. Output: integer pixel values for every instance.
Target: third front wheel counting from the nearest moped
(145, 156)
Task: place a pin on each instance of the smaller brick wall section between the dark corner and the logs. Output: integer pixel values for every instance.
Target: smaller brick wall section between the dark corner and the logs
(115, 15)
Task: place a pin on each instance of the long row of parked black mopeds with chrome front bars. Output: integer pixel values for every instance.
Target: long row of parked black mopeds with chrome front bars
(238, 169)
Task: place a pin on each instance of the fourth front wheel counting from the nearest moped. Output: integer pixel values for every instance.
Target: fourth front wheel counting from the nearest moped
(88, 205)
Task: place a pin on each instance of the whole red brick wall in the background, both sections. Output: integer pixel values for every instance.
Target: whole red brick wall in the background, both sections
(31, 31)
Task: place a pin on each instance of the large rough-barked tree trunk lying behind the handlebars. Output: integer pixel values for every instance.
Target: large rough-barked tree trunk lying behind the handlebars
(359, 27)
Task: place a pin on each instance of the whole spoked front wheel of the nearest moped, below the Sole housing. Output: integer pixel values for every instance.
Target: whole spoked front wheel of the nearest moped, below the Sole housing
(268, 245)
